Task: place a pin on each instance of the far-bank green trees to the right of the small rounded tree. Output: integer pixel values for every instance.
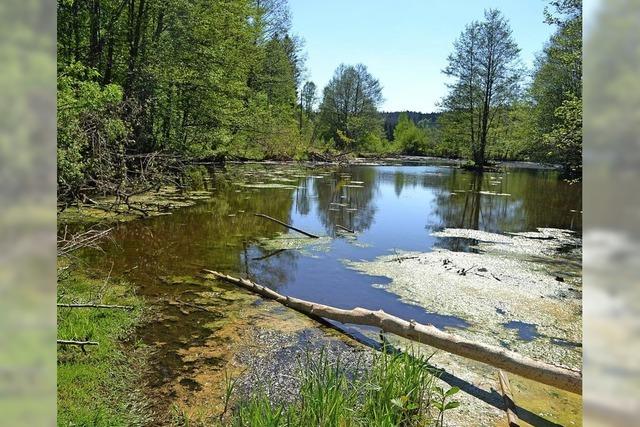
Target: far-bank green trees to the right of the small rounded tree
(495, 109)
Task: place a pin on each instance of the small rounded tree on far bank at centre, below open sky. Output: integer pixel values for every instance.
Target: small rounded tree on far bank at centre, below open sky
(349, 108)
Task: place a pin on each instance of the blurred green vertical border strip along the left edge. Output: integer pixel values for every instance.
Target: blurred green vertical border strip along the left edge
(27, 212)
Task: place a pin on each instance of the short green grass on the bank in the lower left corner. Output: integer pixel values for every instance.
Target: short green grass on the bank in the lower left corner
(97, 388)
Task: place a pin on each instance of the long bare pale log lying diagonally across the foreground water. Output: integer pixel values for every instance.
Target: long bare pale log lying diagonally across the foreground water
(501, 358)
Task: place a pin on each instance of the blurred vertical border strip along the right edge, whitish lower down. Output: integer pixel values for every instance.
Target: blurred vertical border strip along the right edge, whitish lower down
(612, 209)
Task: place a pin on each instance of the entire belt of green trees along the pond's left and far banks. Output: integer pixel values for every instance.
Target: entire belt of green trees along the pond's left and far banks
(145, 82)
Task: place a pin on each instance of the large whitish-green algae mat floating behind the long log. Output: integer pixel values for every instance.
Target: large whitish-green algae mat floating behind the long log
(491, 288)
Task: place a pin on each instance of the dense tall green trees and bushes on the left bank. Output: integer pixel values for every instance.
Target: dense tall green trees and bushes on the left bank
(198, 79)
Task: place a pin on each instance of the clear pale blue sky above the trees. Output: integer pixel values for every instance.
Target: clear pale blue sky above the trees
(404, 43)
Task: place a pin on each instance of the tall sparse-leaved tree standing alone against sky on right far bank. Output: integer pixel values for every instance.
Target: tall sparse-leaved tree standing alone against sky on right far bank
(485, 70)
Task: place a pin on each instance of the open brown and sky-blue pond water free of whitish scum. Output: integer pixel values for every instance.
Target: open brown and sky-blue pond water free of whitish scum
(391, 208)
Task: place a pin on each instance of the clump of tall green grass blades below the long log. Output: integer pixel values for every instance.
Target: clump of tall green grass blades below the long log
(396, 390)
